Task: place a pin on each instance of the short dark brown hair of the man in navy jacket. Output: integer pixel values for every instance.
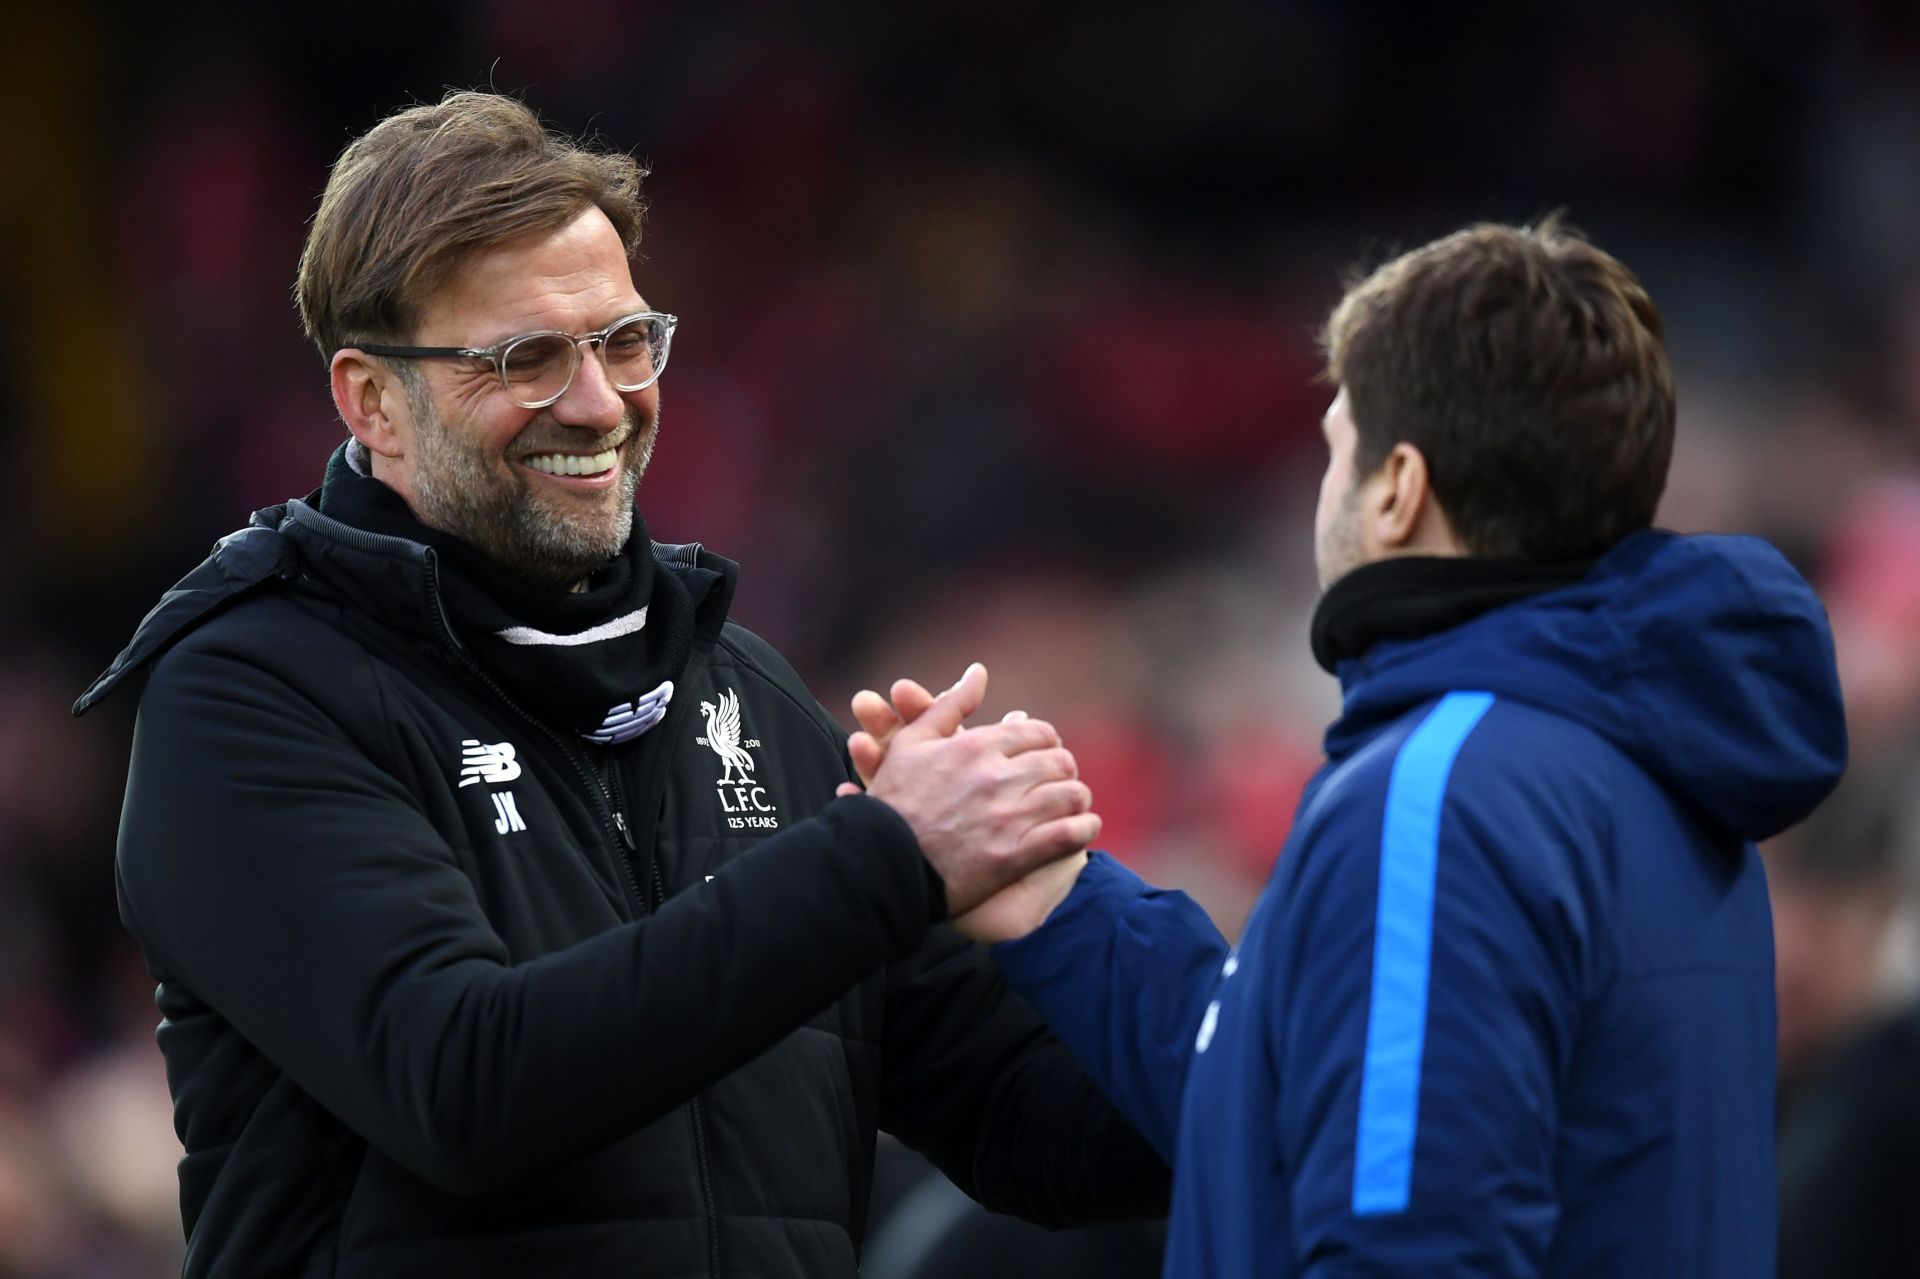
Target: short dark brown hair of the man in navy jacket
(1531, 374)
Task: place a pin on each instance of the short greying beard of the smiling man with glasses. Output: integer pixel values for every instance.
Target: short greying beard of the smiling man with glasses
(500, 514)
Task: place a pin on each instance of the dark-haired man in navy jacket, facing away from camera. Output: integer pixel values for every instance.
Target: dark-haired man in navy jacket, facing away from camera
(1506, 1005)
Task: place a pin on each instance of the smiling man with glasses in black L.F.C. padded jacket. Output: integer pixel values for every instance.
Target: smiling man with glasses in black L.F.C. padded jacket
(500, 902)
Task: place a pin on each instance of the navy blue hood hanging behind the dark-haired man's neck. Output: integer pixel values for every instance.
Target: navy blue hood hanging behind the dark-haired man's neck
(1708, 660)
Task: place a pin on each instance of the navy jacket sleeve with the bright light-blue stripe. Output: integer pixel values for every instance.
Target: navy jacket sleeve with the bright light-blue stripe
(1422, 1007)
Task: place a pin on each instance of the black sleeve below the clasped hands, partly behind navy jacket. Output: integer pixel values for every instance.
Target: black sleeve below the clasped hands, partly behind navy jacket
(972, 1080)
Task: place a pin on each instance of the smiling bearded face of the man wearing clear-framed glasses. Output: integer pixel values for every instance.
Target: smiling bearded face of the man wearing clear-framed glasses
(544, 493)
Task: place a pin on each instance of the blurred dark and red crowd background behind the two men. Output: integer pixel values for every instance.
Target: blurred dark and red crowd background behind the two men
(997, 341)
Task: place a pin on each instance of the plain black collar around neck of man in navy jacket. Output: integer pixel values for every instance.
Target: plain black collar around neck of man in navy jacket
(1416, 596)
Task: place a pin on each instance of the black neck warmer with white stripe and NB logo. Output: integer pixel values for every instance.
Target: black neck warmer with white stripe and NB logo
(600, 662)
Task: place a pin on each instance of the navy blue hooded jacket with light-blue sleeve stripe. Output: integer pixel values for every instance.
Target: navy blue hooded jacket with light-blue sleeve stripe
(1506, 1005)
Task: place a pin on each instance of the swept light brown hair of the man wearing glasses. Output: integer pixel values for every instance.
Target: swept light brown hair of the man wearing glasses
(429, 187)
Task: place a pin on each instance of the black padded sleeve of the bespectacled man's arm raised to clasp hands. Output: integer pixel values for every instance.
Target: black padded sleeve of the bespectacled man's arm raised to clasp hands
(274, 871)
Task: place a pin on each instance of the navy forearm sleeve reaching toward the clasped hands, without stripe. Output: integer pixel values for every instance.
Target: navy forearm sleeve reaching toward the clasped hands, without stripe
(1122, 973)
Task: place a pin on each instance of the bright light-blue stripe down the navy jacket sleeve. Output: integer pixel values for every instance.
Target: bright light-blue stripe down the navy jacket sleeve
(1403, 950)
